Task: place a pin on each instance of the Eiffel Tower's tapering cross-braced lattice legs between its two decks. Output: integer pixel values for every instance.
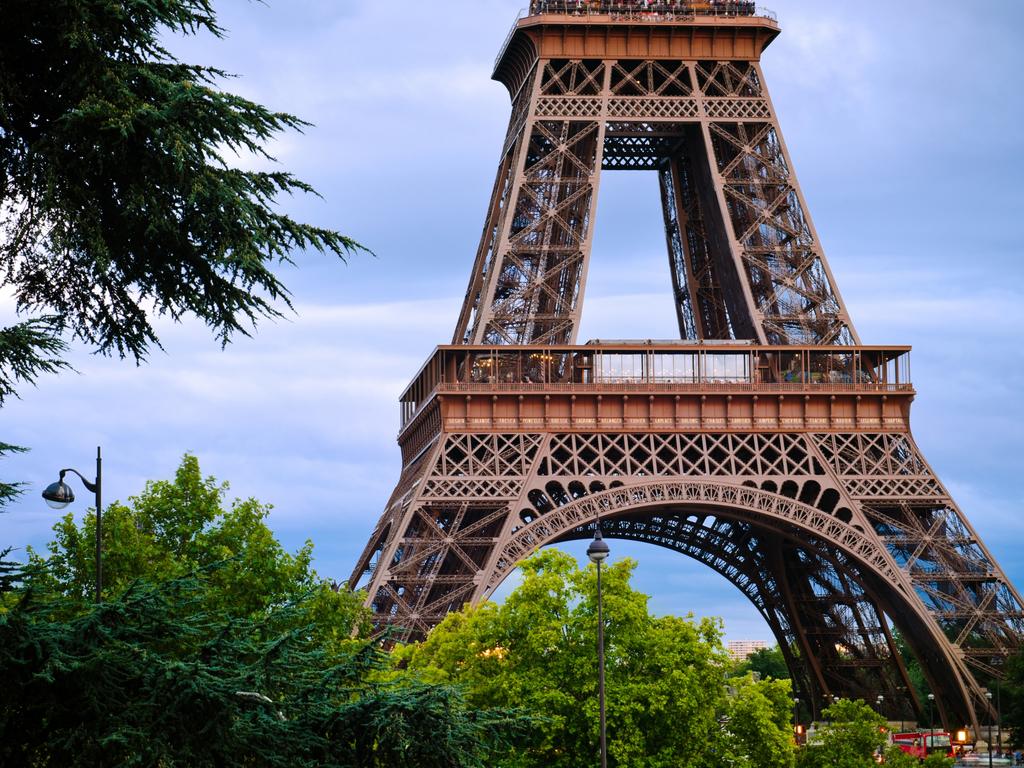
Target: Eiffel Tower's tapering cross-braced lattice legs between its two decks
(747, 262)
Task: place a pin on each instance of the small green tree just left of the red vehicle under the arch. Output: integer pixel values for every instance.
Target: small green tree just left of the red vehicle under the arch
(850, 740)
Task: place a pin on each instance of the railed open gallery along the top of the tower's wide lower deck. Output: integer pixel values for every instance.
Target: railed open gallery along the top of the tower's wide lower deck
(659, 367)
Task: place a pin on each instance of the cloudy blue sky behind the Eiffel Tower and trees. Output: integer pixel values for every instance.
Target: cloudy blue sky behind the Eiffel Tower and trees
(904, 122)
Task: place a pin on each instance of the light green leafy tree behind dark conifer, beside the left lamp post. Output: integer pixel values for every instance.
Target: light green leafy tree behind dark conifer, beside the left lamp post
(176, 528)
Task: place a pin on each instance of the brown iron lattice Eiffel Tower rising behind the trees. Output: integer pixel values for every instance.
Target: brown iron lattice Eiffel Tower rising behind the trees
(767, 442)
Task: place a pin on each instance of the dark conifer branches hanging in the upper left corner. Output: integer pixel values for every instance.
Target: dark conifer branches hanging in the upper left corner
(117, 203)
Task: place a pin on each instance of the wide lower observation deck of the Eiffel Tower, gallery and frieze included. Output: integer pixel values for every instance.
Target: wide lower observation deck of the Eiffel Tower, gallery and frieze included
(658, 386)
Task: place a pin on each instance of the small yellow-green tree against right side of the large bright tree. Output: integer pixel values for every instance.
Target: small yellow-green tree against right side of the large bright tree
(759, 732)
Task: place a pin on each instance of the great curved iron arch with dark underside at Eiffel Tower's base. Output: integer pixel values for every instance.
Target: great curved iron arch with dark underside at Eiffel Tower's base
(745, 534)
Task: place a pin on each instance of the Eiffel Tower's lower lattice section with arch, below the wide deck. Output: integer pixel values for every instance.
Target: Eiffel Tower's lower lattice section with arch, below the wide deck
(823, 533)
